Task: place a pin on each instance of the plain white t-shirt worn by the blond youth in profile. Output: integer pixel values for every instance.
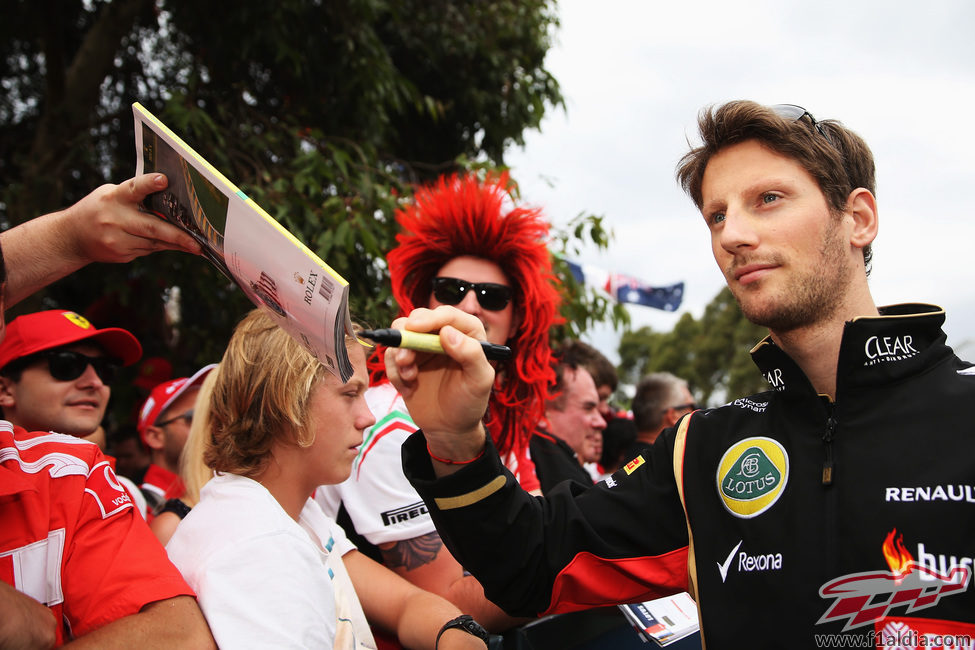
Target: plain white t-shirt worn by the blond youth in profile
(264, 580)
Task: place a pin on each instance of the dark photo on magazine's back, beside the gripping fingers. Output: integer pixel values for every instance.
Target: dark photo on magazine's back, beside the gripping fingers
(191, 201)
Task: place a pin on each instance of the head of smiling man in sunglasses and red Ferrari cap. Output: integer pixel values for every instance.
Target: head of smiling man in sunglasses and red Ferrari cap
(56, 369)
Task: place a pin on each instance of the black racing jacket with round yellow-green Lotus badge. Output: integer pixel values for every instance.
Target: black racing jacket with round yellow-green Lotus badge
(796, 521)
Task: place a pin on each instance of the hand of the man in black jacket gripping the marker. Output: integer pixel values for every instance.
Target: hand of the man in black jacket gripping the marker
(447, 395)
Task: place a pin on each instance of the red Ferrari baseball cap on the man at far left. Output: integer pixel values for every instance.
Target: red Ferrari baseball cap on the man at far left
(55, 328)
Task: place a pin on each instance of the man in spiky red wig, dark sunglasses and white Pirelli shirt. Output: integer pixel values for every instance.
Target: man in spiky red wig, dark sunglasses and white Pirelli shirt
(463, 242)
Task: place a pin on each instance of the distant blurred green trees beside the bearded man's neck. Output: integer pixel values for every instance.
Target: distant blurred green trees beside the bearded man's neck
(710, 353)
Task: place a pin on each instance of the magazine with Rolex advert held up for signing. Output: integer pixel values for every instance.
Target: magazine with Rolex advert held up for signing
(306, 297)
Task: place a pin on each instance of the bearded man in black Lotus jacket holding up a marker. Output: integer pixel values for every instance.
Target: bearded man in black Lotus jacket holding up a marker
(797, 516)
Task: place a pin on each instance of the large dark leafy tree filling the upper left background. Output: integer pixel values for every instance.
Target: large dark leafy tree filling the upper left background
(325, 113)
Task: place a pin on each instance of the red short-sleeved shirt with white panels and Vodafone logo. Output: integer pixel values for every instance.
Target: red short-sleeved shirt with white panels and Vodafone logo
(71, 537)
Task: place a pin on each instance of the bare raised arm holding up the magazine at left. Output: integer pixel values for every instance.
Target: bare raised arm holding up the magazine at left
(105, 226)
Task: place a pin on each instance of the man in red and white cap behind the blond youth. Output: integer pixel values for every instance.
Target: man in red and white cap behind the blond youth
(164, 423)
